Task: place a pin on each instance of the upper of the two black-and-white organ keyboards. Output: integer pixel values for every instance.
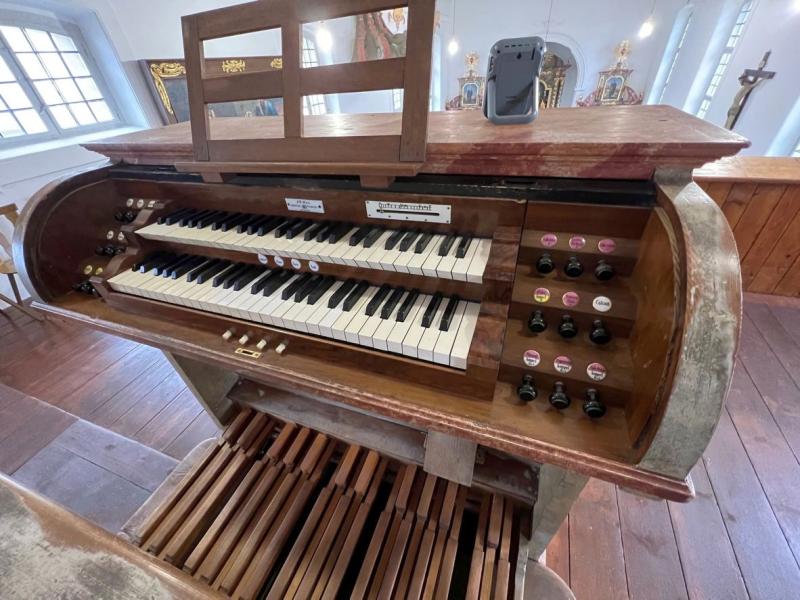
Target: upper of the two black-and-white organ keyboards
(460, 257)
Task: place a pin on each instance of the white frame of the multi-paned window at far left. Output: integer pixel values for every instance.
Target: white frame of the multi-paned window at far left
(73, 31)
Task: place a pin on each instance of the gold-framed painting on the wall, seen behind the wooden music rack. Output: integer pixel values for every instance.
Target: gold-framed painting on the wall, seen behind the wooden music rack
(167, 83)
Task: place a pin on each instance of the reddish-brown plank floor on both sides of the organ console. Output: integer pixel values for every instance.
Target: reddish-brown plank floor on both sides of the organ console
(740, 538)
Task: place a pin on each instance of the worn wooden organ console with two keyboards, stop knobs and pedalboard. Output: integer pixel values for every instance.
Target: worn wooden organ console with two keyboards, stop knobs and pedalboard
(400, 349)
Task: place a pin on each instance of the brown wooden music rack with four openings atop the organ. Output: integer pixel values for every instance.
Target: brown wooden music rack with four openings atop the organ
(374, 157)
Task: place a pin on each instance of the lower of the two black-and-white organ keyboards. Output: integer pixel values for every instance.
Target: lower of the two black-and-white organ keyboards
(428, 327)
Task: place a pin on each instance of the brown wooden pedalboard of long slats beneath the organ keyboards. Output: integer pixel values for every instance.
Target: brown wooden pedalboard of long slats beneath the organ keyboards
(277, 510)
